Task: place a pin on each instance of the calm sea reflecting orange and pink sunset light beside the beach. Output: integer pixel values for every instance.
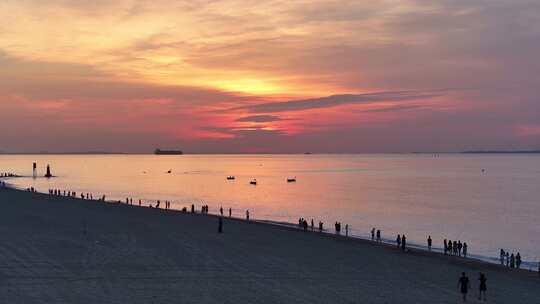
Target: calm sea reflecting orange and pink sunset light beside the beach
(447, 196)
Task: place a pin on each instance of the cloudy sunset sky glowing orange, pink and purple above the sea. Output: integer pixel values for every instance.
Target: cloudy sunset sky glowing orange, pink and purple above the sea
(269, 76)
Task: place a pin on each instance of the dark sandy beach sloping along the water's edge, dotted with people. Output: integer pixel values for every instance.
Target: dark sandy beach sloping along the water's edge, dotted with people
(140, 255)
